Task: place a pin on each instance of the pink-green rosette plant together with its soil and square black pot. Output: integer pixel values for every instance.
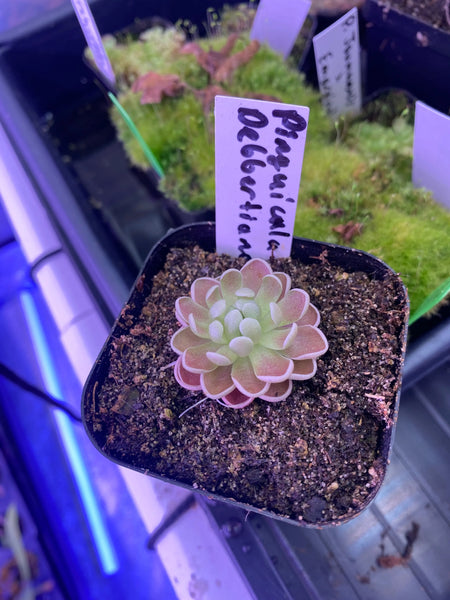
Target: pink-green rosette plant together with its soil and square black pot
(314, 456)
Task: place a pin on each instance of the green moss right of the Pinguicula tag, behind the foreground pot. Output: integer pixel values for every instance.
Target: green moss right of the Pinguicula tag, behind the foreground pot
(369, 179)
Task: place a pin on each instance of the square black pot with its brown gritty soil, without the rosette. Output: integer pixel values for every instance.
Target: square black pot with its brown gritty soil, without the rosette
(317, 458)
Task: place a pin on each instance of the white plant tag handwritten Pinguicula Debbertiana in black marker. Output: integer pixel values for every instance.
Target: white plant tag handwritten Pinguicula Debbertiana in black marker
(259, 154)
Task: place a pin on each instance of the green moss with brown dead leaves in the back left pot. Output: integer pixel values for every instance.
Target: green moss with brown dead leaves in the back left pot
(176, 130)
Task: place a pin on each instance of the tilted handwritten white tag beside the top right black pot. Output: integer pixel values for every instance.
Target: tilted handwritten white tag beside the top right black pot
(338, 64)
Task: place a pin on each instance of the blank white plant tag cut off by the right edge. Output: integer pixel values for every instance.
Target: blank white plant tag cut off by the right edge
(431, 152)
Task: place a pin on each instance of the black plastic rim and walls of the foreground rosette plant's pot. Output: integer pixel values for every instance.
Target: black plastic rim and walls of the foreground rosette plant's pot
(203, 234)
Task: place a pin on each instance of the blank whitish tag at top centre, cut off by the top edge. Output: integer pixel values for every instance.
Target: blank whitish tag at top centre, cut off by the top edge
(278, 23)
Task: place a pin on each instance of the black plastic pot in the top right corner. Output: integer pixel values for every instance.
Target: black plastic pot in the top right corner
(406, 53)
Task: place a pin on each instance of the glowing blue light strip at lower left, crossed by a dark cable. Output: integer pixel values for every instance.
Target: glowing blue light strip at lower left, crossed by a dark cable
(105, 550)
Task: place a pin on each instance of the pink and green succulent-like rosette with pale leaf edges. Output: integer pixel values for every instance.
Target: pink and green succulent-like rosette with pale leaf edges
(246, 335)
